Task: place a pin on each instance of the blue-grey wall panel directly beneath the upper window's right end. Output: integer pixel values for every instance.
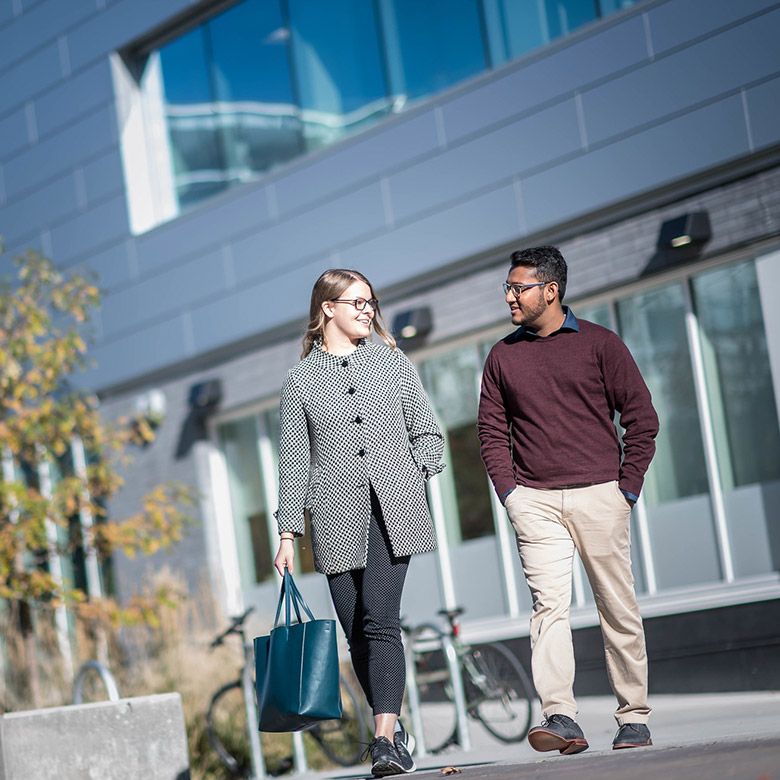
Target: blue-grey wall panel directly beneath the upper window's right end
(545, 77)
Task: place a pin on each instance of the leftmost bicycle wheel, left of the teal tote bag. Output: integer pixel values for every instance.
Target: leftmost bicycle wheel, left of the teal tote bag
(226, 729)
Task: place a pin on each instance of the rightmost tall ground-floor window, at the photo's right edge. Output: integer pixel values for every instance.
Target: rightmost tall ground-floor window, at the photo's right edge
(743, 412)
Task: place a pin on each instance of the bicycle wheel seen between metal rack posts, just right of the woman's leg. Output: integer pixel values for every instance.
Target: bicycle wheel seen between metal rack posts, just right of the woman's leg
(437, 709)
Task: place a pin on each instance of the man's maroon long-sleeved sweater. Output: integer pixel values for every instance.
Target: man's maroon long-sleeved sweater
(547, 409)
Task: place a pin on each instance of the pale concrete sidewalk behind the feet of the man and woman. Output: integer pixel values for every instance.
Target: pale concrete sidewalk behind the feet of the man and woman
(677, 721)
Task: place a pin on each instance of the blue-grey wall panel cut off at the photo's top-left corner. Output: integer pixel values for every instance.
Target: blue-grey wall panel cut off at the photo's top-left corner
(43, 22)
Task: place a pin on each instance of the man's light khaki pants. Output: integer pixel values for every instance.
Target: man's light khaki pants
(549, 525)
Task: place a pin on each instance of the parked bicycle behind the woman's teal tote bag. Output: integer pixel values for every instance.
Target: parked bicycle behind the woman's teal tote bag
(231, 718)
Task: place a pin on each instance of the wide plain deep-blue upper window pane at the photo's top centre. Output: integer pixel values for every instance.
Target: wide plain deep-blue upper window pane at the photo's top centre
(432, 45)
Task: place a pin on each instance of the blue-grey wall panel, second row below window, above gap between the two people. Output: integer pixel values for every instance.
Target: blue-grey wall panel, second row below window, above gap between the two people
(489, 159)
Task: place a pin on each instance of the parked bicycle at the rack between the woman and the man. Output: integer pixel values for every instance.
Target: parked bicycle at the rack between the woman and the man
(496, 687)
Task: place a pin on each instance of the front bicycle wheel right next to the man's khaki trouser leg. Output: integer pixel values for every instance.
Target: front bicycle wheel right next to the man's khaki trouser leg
(499, 692)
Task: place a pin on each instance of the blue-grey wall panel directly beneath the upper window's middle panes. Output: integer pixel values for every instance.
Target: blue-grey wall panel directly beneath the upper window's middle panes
(356, 160)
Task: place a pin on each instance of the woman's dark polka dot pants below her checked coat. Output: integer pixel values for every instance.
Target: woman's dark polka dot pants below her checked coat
(368, 604)
